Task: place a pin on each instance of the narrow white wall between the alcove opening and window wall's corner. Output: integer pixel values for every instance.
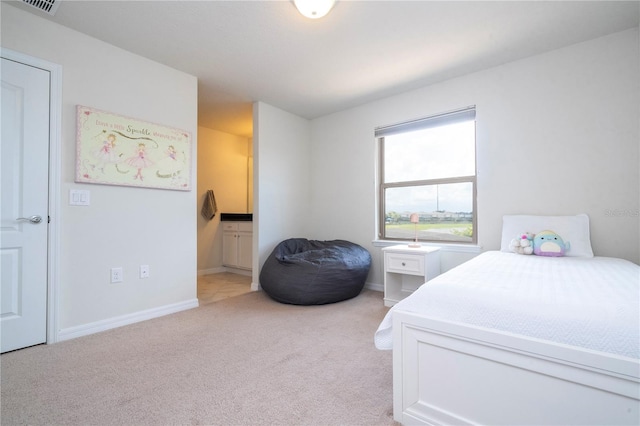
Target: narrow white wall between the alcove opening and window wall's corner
(282, 188)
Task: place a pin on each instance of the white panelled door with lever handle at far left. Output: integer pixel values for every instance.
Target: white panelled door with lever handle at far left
(24, 162)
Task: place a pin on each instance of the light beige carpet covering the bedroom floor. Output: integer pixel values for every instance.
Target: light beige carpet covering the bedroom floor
(245, 360)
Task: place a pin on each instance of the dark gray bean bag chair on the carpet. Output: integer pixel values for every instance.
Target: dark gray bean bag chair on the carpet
(309, 272)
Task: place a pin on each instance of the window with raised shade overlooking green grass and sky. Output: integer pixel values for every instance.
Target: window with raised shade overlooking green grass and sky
(428, 167)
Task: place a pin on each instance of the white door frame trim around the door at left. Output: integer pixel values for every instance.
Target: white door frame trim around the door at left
(55, 138)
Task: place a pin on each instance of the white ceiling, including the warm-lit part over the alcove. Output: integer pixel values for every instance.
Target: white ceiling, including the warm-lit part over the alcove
(245, 51)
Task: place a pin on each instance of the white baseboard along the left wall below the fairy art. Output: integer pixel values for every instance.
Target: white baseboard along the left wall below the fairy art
(108, 324)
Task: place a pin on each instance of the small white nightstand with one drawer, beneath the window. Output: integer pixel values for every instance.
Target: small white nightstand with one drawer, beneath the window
(406, 269)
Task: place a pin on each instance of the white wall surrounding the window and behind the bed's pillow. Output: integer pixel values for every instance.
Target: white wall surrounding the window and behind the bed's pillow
(556, 134)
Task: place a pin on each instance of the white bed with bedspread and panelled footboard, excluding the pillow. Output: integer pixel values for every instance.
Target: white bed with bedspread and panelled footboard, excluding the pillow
(513, 339)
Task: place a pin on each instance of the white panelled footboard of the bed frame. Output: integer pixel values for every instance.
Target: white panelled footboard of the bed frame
(449, 373)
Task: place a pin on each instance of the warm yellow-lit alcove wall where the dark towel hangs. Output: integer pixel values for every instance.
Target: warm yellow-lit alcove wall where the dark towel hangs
(222, 167)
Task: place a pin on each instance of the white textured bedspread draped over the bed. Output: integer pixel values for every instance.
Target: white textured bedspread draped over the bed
(587, 302)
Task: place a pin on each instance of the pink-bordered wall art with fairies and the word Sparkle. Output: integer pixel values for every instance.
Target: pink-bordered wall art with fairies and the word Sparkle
(117, 150)
